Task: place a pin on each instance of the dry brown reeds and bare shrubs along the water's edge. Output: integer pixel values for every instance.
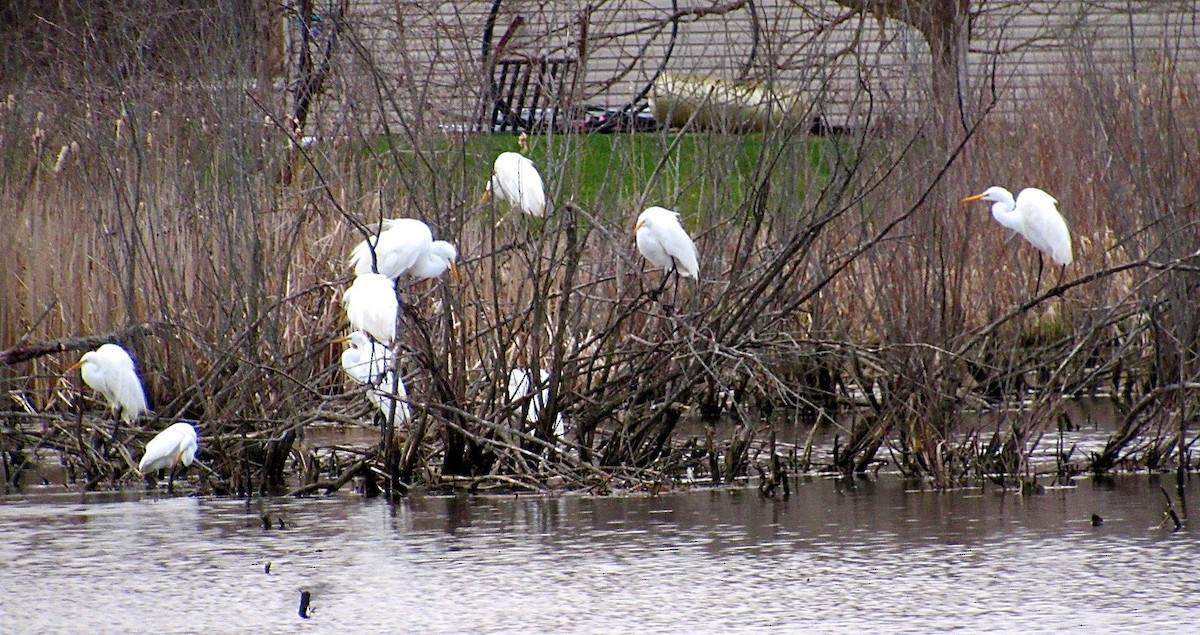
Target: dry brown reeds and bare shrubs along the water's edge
(872, 289)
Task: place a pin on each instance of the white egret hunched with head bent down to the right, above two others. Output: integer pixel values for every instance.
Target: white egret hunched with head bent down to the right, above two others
(405, 247)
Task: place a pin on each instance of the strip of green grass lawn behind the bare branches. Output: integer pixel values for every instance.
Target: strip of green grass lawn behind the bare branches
(701, 175)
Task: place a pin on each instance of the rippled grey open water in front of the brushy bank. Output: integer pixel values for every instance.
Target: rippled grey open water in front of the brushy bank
(832, 559)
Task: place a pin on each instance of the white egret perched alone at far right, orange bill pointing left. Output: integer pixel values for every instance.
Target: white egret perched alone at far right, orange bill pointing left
(1035, 215)
